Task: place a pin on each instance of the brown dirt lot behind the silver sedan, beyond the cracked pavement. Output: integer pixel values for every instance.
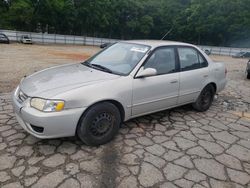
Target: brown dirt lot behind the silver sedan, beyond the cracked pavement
(18, 60)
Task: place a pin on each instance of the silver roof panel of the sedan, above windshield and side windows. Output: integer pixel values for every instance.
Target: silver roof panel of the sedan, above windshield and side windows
(157, 43)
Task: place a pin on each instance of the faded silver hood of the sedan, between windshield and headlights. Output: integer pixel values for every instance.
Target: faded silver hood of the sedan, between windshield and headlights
(53, 81)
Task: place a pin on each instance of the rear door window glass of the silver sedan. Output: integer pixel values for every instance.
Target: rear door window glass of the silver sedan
(190, 59)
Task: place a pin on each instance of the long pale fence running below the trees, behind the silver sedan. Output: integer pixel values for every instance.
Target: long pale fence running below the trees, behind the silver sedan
(42, 38)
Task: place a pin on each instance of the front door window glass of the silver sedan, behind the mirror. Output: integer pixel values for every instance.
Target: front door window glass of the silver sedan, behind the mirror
(163, 60)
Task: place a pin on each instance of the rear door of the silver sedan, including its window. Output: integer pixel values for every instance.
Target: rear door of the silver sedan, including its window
(194, 74)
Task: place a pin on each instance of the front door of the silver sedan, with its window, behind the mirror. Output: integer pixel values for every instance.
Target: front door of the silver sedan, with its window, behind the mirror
(159, 92)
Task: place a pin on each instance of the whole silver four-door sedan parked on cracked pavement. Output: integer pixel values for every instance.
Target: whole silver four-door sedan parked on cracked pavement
(123, 81)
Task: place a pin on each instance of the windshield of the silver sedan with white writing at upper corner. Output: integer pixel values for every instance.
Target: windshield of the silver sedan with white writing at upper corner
(120, 58)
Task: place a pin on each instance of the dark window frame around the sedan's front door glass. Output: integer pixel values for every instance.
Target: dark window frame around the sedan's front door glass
(151, 52)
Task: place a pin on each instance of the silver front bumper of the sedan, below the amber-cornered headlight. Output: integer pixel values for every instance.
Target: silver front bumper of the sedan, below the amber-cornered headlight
(54, 124)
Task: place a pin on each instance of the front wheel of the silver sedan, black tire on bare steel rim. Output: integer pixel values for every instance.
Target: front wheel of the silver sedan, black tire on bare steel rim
(99, 124)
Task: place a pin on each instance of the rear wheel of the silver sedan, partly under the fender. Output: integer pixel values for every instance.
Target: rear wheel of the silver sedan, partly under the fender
(205, 99)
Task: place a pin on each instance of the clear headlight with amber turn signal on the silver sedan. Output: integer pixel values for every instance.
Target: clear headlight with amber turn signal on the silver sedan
(47, 105)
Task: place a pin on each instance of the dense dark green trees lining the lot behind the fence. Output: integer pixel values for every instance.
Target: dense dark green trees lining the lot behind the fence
(212, 22)
